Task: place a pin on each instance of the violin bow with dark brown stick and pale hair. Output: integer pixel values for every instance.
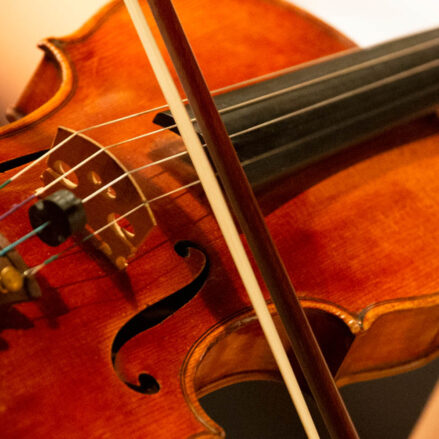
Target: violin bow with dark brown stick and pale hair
(249, 216)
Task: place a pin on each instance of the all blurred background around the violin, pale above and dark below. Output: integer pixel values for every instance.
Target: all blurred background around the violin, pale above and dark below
(384, 409)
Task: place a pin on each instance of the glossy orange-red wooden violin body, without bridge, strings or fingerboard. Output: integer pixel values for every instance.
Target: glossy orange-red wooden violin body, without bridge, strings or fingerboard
(93, 357)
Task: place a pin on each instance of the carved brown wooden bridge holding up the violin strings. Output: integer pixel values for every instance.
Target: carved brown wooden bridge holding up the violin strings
(120, 240)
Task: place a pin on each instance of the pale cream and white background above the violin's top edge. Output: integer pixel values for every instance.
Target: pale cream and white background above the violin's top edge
(24, 22)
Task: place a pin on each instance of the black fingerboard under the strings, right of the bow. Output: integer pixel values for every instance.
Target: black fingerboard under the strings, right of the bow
(291, 121)
